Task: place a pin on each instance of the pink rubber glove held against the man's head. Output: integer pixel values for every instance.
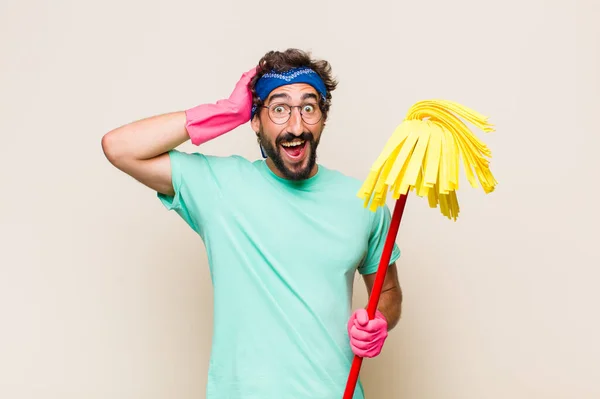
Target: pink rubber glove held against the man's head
(208, 121)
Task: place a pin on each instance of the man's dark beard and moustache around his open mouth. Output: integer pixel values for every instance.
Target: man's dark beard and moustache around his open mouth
(273, 151)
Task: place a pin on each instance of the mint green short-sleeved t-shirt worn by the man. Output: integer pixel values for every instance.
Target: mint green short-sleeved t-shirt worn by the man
(282, 258)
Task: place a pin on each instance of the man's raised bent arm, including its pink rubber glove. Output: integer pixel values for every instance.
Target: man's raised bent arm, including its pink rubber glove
(141, 148)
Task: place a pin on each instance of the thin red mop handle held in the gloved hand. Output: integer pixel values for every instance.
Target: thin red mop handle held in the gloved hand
(377, 286)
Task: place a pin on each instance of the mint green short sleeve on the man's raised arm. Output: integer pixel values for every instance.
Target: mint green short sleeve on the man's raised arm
(196, 187)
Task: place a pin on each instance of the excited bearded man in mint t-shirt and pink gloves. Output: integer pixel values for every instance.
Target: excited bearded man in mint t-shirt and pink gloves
(284, 235)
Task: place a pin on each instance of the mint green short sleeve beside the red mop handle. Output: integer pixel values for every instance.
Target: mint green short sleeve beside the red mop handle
(379, 227)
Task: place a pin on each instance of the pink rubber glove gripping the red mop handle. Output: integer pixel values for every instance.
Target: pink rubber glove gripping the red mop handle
(367, 336)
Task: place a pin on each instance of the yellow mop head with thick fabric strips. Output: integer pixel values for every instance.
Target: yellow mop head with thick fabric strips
(424, 153)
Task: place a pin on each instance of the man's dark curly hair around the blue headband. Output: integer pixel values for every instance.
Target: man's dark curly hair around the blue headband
(282, 61)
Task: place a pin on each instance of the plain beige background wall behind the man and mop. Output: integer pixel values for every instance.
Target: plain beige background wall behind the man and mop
(105, 294)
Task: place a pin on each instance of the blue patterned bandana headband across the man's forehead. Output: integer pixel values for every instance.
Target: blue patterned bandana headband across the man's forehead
(272, 80)
